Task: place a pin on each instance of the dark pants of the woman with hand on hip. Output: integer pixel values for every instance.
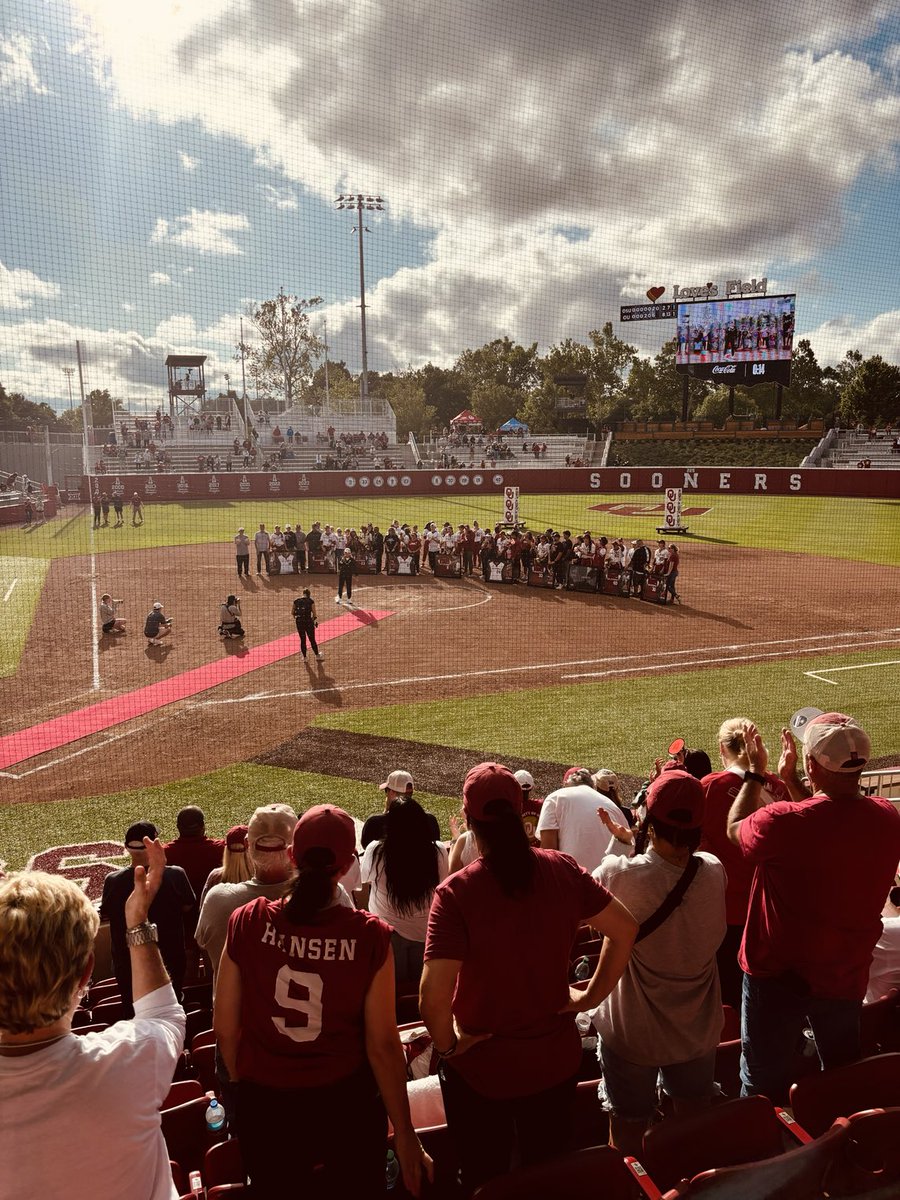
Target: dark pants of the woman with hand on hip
(489, 1133)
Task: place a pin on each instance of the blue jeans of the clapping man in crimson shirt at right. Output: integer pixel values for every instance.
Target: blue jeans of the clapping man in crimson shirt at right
(772, 1022)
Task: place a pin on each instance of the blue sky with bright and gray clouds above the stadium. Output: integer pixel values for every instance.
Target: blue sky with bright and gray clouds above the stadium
(165, 164)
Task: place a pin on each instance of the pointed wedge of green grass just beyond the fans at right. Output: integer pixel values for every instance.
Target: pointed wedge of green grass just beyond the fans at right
(625, 724)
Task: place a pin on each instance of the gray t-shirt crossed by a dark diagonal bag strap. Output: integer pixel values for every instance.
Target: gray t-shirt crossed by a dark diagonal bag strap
(667, 1009)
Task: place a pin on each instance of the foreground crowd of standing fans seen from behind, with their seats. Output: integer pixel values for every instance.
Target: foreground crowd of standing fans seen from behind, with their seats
(271, 969)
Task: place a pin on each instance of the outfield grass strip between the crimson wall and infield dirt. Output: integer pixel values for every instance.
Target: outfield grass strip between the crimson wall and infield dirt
(859, 530)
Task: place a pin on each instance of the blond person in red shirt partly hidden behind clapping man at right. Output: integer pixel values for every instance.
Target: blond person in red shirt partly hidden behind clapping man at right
(721, 789)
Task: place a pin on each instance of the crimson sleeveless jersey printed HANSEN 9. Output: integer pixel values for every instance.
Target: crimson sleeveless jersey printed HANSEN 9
(303, 992)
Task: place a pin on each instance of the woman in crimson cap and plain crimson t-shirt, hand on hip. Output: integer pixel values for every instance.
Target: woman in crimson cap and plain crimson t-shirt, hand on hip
(490, 925)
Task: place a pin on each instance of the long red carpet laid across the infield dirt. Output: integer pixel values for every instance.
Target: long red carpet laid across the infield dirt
(95, 718)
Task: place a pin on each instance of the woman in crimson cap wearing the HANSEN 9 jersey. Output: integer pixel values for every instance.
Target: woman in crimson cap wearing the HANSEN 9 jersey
(320, 1085)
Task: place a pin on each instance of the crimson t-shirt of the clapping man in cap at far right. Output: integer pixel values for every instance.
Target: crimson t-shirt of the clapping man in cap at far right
(824, 868)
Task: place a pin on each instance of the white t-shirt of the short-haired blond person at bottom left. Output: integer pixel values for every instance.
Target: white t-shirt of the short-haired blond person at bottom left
(82, 1118)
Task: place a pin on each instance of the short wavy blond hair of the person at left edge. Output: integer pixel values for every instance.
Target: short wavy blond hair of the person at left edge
(47, 931)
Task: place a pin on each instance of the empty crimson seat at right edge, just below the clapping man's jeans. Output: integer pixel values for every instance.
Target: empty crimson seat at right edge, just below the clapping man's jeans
(872, 1083)
